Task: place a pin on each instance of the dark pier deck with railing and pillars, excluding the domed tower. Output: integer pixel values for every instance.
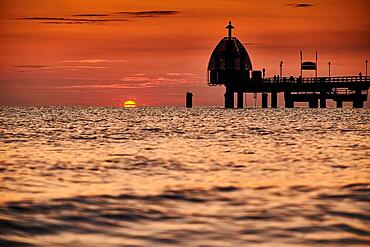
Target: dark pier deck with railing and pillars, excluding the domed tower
(314, 91)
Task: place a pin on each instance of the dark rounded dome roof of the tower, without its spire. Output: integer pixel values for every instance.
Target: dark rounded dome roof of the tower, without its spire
(230, 54)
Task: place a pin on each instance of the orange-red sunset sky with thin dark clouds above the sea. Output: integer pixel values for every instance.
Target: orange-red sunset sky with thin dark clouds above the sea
(104, 52)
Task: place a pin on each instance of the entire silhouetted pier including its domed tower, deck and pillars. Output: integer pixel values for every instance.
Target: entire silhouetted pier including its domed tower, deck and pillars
(230, 66)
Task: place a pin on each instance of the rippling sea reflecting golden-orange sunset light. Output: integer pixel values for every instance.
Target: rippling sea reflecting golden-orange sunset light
(171, 176)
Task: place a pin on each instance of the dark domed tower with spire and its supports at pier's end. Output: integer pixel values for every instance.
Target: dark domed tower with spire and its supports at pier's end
(230, 65)
